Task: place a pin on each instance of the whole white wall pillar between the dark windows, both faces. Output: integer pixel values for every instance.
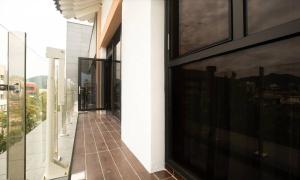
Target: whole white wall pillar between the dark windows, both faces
(143, 81)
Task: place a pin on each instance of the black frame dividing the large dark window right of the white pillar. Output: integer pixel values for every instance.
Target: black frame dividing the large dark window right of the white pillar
(240, 40)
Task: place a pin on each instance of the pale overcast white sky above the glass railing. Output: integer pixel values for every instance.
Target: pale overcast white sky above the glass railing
(44, 25)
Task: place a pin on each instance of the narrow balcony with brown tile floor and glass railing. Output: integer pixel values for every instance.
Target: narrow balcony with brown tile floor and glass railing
(43, 102)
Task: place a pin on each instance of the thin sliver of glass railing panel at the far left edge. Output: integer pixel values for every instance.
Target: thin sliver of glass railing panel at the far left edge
(3, 102)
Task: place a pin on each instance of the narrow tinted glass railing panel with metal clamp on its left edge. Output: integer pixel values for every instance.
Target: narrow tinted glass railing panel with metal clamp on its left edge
(16, 106)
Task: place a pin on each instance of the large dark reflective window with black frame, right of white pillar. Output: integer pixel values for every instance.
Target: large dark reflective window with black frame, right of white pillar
(233, 89)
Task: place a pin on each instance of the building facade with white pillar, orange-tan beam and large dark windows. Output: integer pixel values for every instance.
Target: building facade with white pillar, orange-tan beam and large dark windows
(209, 89)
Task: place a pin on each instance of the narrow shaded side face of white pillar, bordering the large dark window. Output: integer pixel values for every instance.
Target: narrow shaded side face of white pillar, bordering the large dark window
(157, 85)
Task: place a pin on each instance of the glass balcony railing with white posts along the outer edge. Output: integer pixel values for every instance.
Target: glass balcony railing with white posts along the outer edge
(25, 127)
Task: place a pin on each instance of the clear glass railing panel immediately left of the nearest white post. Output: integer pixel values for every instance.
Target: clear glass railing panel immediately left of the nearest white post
(36, 105)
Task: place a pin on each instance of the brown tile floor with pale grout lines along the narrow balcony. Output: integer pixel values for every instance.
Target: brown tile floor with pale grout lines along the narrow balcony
(100, 154)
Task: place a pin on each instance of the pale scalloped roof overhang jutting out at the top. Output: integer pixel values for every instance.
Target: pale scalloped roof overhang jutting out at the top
(84, 10)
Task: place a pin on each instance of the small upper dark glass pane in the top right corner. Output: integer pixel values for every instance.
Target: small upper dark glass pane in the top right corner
(264, 14)
